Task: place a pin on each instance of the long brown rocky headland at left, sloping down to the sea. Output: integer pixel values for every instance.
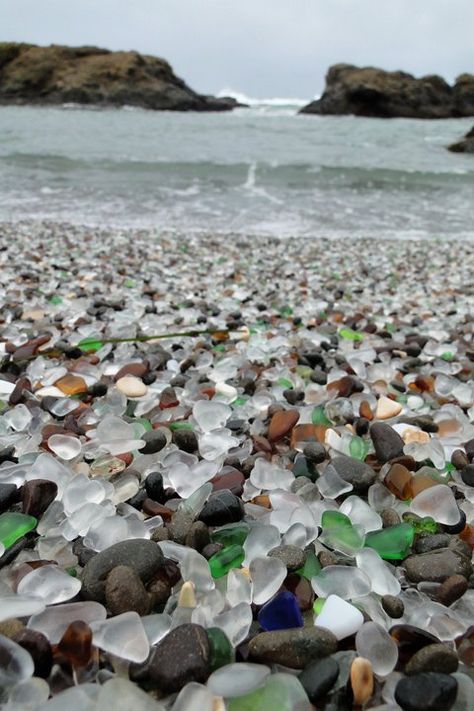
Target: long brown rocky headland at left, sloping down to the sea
(30, 74)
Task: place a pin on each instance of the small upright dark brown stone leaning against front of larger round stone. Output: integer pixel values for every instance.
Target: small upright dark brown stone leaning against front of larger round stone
(125, 592)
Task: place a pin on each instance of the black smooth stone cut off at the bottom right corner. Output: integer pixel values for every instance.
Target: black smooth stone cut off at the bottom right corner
(426, 692)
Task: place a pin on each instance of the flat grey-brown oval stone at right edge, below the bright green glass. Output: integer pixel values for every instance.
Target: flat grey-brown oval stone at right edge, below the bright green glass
(436, 566)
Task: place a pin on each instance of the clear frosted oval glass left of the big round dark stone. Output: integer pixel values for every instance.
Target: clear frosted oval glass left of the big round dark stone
(49, 583)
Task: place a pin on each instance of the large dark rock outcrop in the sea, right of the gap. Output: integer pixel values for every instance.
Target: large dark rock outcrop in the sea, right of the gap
(373, 92)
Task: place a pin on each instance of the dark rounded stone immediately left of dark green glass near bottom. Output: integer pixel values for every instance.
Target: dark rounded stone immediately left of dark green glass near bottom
(181, 657)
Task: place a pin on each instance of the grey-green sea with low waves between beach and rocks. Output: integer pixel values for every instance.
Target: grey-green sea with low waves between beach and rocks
(262, 170)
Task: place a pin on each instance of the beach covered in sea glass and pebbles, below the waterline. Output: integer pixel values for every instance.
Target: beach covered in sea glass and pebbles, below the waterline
(202, 436)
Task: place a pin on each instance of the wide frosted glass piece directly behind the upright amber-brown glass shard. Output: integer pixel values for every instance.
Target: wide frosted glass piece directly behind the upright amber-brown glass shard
(54, 621)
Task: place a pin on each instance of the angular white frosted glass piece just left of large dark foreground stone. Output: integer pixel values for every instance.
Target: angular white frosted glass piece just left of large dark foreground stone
(122, 635)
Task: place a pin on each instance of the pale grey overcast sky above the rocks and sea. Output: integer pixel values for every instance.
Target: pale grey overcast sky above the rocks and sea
(259, 47)
